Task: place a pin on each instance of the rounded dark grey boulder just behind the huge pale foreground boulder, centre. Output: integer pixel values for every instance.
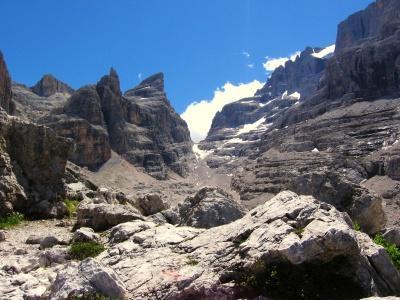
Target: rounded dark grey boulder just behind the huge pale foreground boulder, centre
(209, 207)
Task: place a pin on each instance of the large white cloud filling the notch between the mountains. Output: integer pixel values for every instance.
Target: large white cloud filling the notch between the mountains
(199, 115)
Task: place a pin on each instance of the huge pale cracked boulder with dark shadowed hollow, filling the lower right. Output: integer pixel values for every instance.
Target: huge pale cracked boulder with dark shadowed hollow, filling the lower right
(292, 246)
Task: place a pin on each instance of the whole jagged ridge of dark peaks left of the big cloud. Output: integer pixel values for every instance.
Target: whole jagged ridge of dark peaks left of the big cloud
(100, 119)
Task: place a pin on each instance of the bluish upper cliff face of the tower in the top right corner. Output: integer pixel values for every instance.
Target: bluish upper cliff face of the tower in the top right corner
(367, 23)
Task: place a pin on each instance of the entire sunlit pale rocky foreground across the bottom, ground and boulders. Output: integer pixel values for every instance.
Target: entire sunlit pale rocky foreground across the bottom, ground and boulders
(289, 246)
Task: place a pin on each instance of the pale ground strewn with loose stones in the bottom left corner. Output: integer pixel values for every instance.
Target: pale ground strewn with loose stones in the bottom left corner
(25, 271)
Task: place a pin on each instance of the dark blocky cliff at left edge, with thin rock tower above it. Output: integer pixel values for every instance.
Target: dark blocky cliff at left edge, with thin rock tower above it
(32, 160)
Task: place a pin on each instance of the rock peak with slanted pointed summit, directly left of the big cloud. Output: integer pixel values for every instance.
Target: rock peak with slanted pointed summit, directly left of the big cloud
(156, 136)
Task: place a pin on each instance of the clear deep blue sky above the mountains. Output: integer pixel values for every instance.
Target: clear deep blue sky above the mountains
(199, 45)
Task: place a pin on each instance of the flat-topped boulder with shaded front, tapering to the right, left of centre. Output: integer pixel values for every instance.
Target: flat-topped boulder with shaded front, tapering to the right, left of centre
(102, 216)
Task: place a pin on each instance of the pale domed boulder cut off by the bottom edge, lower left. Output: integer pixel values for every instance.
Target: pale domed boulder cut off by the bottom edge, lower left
(87, 279)
